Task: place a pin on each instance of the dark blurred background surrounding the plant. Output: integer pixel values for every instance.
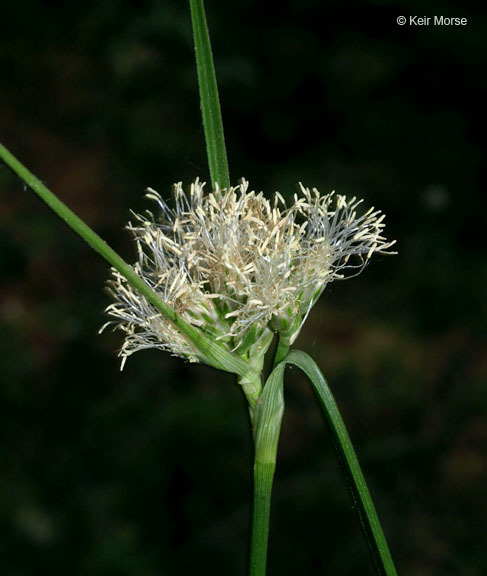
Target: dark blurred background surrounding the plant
(147, 472)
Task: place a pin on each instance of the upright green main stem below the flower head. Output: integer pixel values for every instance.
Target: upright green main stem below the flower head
(267, 427)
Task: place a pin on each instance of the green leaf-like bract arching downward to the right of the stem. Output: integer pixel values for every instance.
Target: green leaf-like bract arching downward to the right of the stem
(369, 520)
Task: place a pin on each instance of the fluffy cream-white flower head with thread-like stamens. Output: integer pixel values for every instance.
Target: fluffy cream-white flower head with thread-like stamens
(239, 266)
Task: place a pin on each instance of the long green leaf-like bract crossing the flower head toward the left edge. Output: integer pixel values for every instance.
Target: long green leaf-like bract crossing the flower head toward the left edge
(210, 352)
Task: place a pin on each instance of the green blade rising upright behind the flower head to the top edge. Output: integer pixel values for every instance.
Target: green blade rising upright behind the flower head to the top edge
(210, 103)
